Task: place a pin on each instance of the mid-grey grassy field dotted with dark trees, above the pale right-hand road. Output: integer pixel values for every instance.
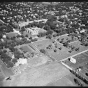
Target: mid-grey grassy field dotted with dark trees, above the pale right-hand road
(59, 54)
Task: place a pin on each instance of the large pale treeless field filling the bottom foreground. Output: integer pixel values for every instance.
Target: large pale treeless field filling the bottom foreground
(39, 76)
